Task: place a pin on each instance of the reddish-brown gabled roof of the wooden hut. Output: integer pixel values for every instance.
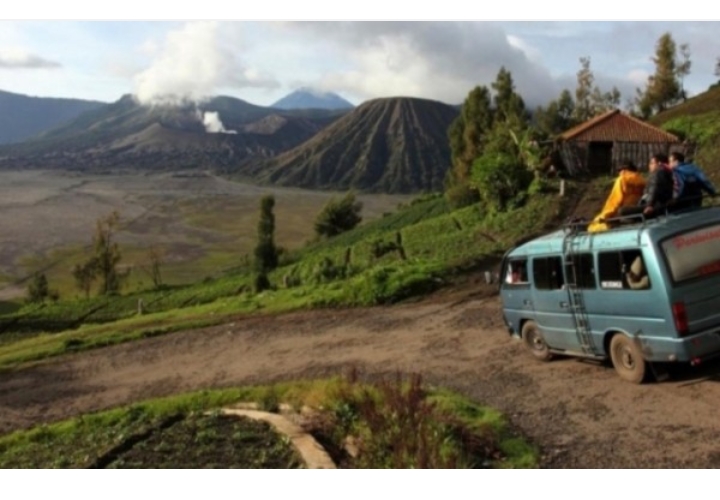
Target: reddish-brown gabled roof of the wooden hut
(615, 126)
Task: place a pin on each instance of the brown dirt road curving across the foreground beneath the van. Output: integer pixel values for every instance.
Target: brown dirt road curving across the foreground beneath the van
(580, 413)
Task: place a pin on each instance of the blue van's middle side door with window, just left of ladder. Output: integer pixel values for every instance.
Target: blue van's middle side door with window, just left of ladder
(551, 302)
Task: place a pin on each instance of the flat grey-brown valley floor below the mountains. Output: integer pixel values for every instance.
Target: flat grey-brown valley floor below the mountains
(47, 219)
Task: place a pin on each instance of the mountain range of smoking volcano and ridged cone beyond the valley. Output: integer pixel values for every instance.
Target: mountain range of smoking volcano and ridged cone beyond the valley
(384, 145)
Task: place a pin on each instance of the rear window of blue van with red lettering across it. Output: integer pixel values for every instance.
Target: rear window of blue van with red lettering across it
(694, 253)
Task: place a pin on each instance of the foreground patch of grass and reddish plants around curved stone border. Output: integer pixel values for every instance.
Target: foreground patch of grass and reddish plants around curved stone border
(178, 432)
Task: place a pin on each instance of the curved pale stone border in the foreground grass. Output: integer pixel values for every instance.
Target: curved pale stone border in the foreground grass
(314, 455)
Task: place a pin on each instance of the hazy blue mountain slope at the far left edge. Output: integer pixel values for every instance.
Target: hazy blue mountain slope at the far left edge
(23, 116)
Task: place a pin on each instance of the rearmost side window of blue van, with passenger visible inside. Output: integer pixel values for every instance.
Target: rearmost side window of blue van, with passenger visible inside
(623, 270)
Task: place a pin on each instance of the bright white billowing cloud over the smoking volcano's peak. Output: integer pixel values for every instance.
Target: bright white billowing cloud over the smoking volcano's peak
(193, 63)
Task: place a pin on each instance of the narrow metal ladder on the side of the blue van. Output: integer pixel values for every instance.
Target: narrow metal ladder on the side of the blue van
(575, 292)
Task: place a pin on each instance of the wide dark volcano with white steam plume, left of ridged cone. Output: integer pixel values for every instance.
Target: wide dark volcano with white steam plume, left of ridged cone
(125, 134)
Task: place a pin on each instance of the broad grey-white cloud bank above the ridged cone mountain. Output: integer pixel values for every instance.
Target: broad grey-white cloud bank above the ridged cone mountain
(434, 60)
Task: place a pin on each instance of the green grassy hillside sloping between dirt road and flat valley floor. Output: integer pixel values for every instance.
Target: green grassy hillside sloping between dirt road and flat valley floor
(413, 251)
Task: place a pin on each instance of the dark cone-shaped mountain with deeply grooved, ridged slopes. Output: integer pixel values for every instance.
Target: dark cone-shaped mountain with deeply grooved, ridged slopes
(391, 145)
